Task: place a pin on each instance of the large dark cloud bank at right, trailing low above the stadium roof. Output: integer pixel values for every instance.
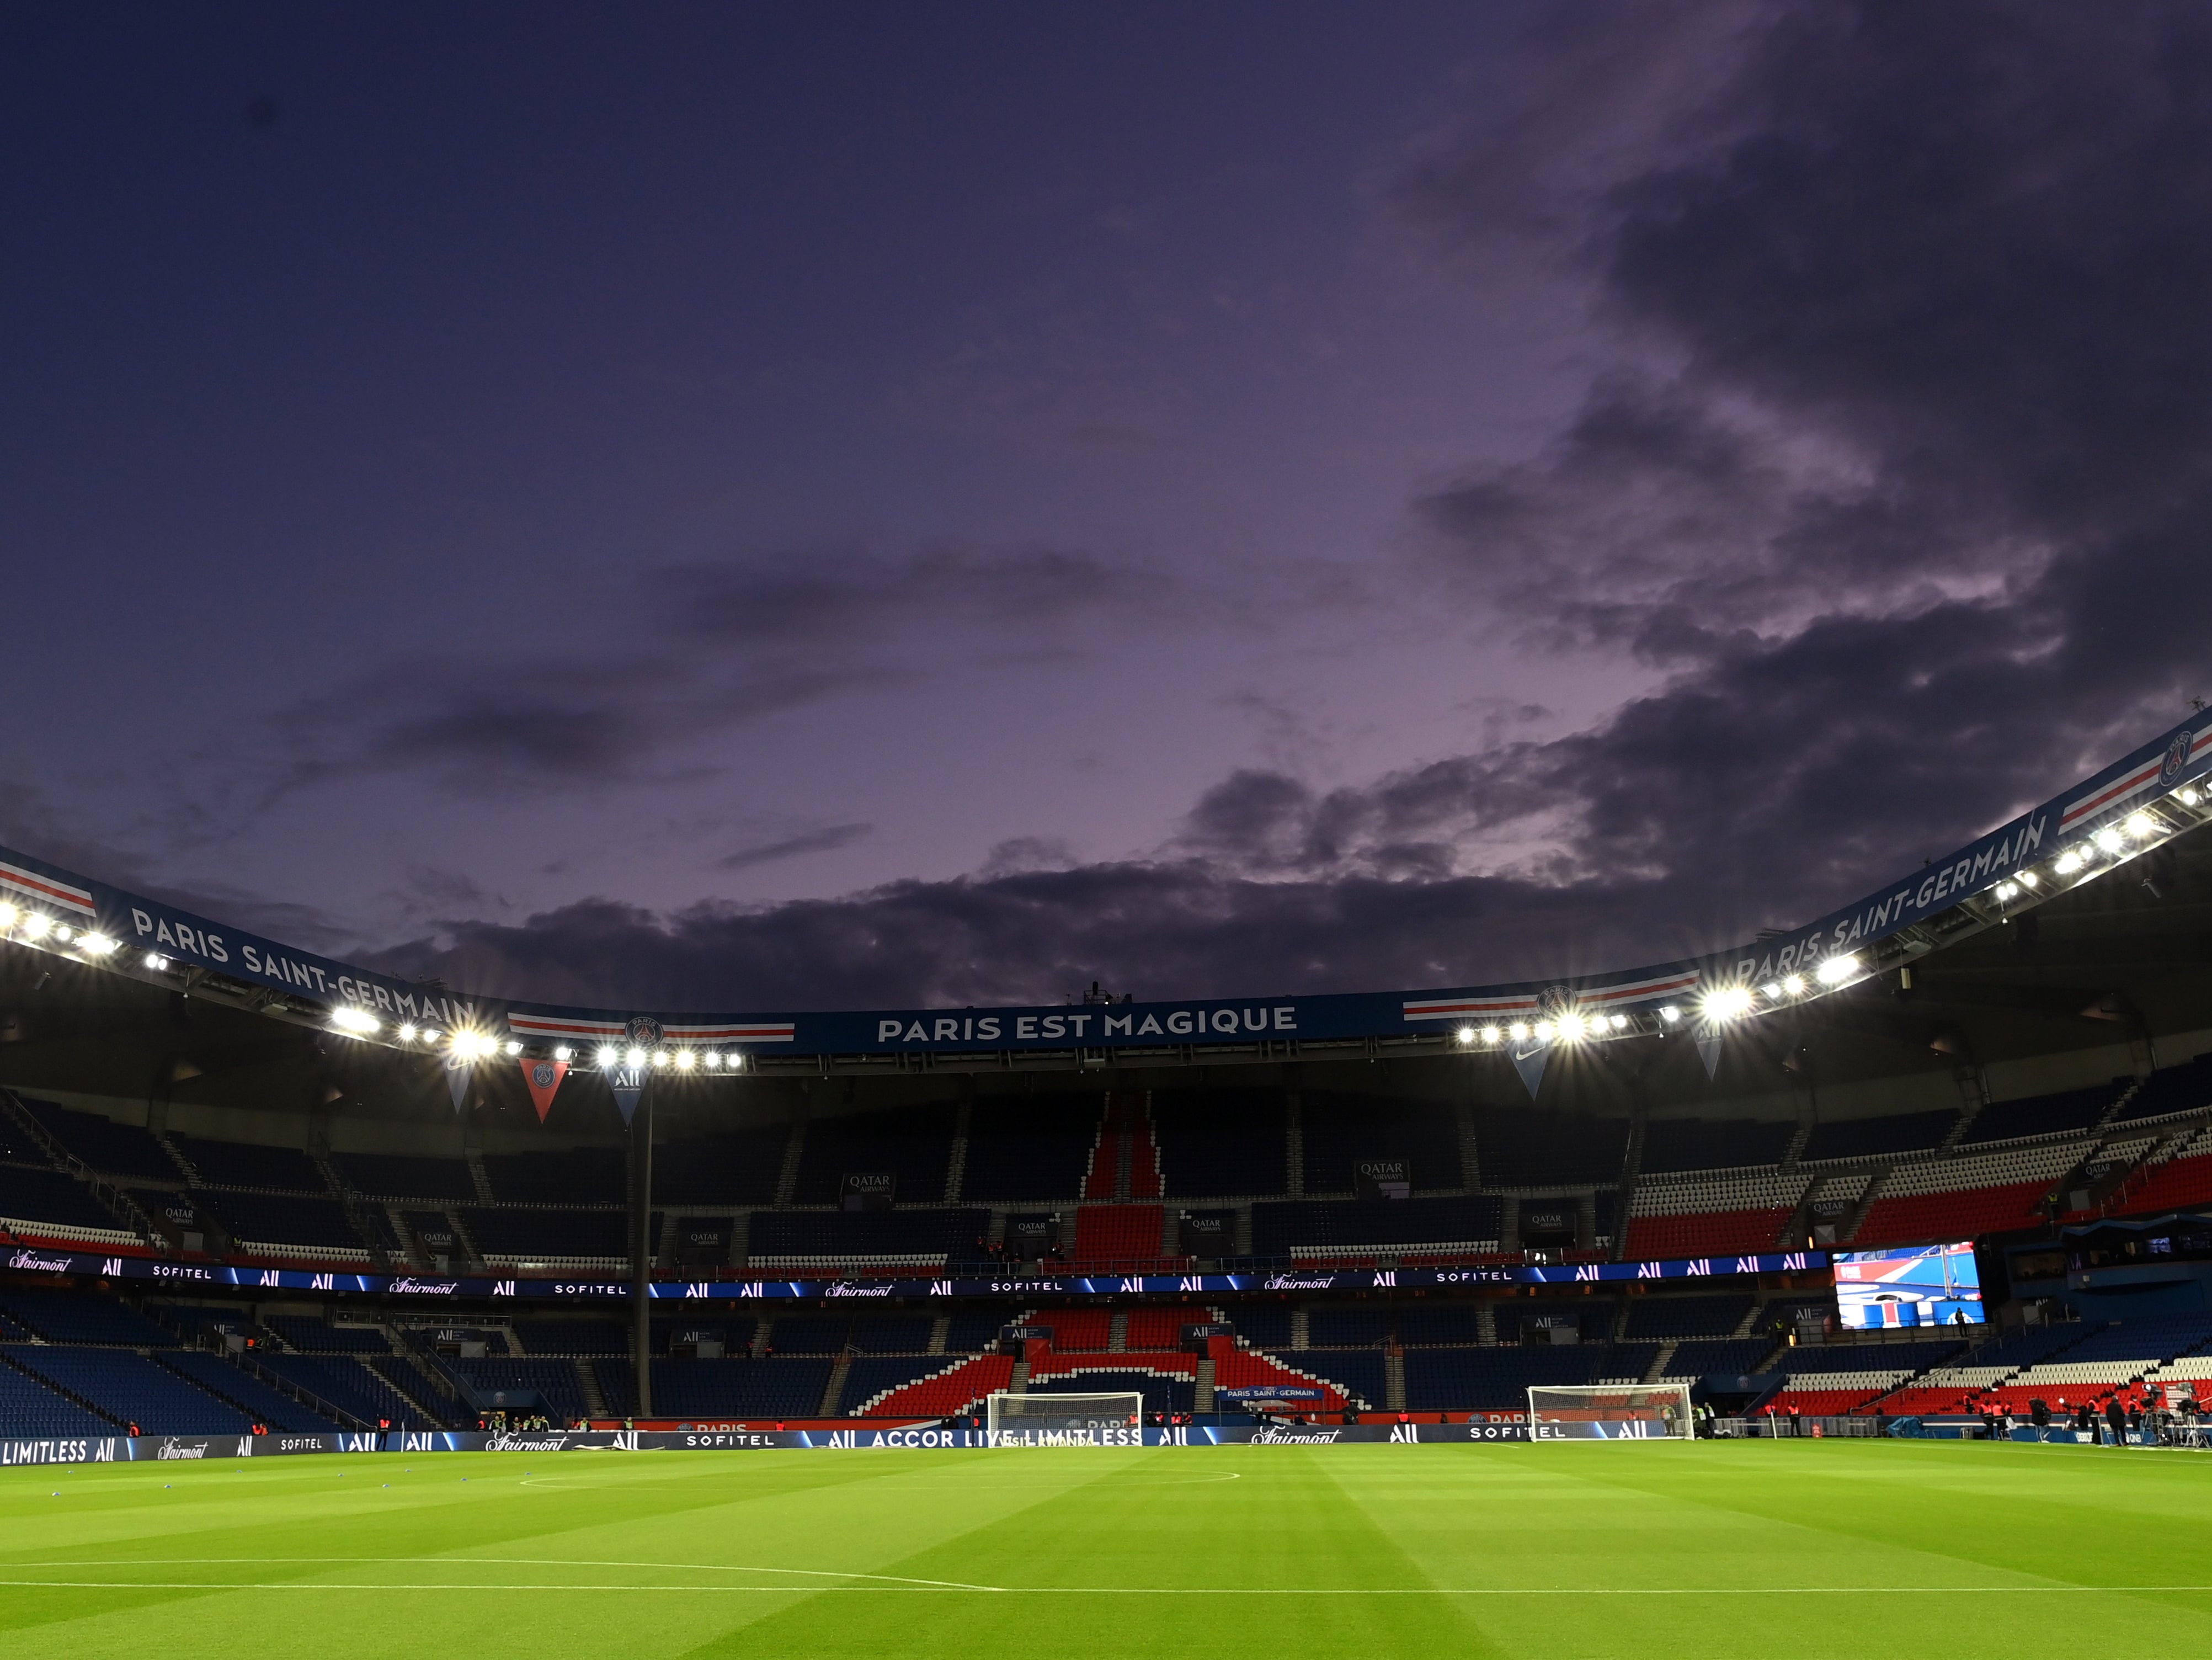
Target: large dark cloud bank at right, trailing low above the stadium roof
(1892, 479)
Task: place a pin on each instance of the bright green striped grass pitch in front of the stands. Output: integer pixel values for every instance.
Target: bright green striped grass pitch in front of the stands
(1757, 1550)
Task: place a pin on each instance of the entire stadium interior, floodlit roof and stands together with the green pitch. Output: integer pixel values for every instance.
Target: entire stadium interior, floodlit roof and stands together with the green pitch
(1235, 1322)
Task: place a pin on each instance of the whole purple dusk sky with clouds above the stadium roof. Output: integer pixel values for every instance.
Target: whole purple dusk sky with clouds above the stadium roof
(857, 506)
